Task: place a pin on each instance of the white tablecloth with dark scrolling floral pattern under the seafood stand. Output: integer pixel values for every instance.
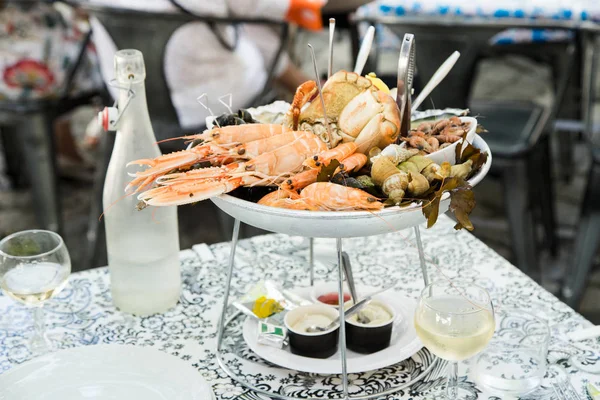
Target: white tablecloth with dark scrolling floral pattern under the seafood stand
(82, 314)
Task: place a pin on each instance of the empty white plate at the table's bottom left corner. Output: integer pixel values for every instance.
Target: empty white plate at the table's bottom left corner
(105, 372)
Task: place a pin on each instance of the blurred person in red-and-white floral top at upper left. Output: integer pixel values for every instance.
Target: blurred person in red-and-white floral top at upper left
(38, 45)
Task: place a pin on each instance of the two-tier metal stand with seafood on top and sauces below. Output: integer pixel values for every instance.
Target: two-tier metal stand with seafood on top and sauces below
(345, 159)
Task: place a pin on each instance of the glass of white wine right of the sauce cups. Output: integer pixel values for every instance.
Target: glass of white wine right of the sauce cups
(455, 321)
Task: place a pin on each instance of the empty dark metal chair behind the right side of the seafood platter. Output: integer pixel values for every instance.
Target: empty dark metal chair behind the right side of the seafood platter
(518, 134)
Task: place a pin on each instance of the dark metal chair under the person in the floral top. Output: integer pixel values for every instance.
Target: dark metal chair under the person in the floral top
(28, 133)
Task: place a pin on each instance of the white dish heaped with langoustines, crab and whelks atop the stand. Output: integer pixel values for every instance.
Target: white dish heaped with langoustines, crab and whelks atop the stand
(340, 167)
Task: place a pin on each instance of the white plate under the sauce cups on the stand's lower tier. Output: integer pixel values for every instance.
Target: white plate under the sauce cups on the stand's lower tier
(404, 343)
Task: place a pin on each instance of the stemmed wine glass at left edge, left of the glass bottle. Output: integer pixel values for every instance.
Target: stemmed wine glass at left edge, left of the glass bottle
(34, 266)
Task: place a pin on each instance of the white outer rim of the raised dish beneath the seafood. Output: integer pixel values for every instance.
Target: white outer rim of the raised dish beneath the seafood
(334, 224)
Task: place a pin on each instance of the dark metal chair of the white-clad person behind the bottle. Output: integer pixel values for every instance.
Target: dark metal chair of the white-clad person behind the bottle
(150, 34)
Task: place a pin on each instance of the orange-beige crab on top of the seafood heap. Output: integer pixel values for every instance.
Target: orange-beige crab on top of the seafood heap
(356, 111)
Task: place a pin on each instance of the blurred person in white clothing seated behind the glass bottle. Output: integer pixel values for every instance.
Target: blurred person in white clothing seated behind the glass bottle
(217, 60)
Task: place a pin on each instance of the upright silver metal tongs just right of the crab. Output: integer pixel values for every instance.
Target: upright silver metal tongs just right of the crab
(406, 71)
